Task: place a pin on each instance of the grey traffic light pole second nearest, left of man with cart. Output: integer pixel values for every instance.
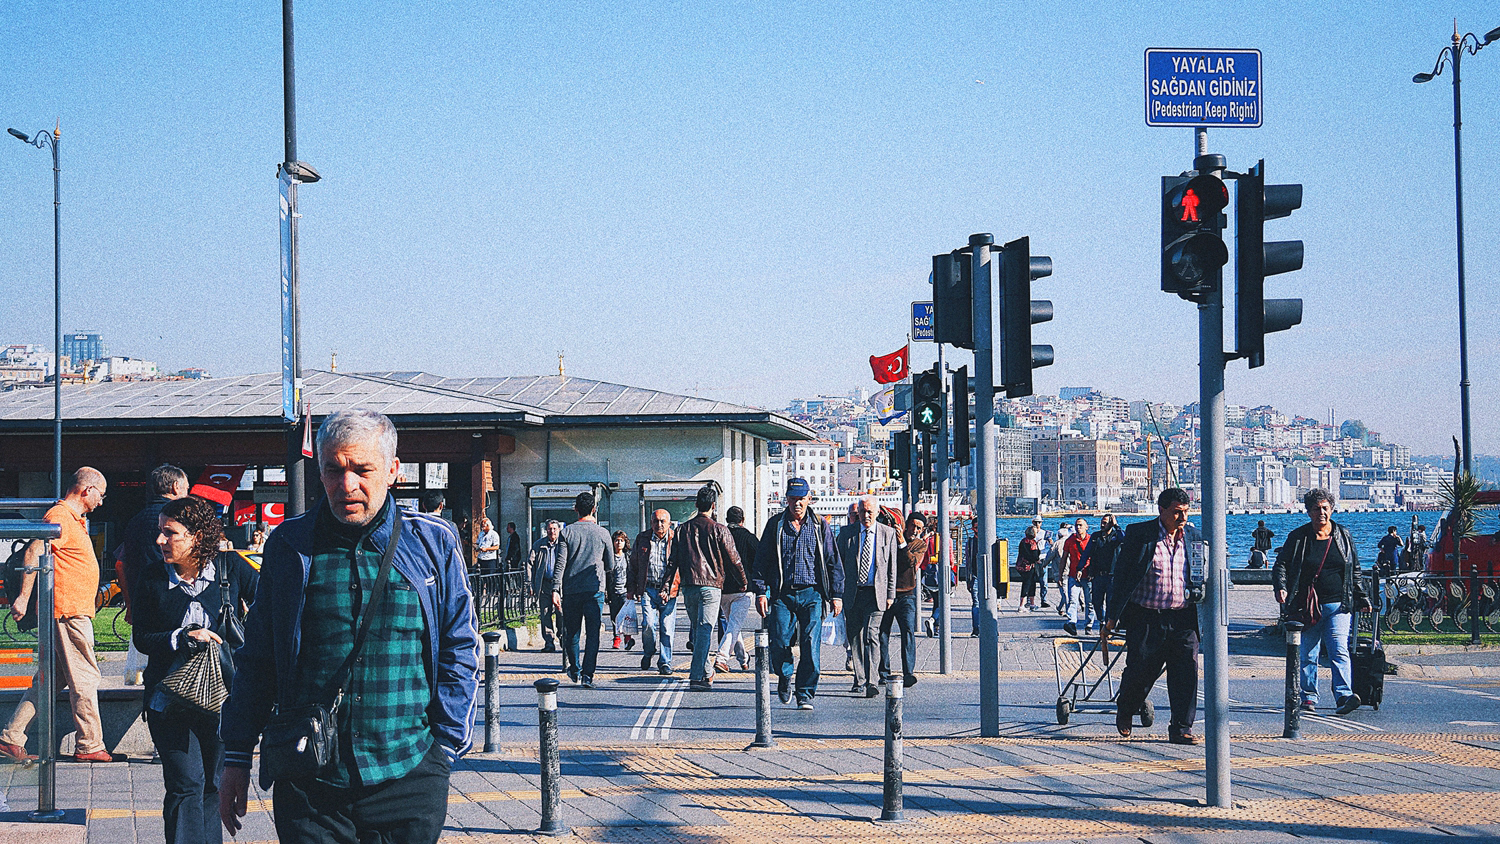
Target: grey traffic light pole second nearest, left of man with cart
(985, 483)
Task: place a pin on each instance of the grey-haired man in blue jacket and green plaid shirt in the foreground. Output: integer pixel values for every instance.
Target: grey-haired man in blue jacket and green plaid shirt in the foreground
(409, 705)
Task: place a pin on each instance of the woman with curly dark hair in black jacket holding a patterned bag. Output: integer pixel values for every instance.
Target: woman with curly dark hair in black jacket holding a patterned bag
(178, 612)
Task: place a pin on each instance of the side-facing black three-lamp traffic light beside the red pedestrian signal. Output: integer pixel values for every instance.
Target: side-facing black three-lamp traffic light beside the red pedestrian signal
(1255, 260)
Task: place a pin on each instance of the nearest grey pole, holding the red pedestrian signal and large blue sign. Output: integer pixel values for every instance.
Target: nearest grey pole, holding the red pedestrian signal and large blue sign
(1214, 611)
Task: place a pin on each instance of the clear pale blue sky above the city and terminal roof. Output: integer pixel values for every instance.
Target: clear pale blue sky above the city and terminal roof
(740, 200)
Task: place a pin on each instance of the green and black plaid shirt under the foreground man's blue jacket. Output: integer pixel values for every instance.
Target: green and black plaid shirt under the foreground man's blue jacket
(383, 719)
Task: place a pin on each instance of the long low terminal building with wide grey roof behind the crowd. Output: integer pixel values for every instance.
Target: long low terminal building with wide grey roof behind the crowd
(515, 449)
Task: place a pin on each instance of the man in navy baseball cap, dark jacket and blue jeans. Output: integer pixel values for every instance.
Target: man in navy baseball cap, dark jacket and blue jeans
(797, 575)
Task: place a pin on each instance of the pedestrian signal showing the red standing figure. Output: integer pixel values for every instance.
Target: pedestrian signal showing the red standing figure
(1192, 247)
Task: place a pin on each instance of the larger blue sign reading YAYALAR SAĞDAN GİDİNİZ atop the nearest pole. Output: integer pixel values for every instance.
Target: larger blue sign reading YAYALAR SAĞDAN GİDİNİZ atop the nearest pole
(1204, 88)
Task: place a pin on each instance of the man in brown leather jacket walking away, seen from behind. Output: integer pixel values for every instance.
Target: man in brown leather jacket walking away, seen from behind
(703, 552)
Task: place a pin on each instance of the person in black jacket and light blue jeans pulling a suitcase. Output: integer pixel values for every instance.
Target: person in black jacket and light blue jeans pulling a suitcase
(1321, 557)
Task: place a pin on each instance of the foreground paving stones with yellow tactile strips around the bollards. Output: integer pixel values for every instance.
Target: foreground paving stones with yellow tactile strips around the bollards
(1366, 788)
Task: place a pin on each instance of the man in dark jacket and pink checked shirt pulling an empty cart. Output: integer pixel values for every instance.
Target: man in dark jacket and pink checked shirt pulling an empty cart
(1154, 596)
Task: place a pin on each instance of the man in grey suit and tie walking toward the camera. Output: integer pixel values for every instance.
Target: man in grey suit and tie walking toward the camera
(868, 551)
